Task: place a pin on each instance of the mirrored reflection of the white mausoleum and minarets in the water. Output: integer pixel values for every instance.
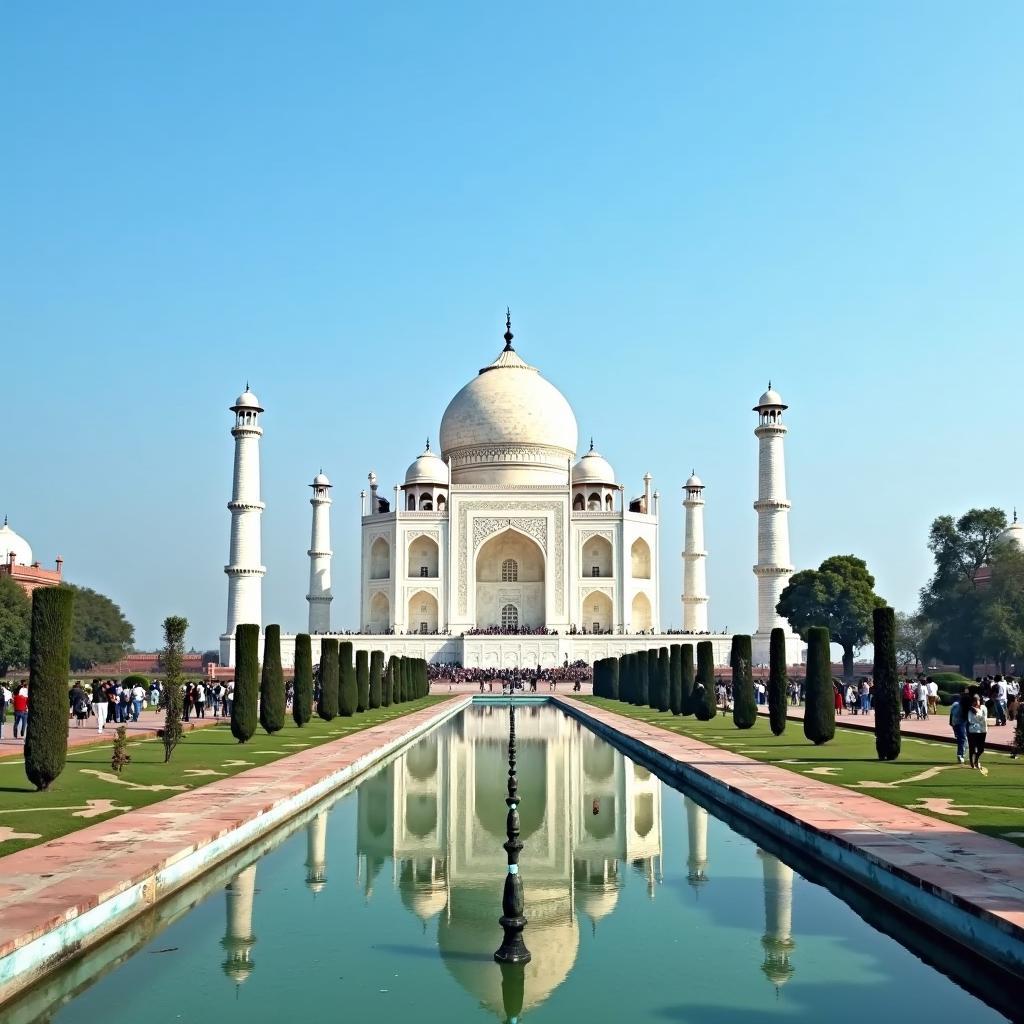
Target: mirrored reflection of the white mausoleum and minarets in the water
(588, 816)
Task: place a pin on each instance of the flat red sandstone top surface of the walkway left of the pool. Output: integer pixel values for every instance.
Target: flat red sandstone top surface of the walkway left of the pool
(47, 885)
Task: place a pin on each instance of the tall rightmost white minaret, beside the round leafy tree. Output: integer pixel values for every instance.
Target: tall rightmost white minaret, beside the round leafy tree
(774, 569)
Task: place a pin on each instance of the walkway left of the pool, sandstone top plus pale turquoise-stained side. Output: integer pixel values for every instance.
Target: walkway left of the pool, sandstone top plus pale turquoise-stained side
(67, 895)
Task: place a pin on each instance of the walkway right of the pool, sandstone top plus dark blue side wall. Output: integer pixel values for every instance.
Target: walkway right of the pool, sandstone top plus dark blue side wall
(965, 885)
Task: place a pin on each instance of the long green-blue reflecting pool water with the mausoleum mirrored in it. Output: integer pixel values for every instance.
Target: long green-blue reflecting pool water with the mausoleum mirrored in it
(385, 906)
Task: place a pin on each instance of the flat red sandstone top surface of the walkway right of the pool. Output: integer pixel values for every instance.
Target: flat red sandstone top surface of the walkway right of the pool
(980, 871)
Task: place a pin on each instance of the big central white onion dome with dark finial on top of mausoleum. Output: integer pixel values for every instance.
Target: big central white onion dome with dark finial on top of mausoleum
(509, 425)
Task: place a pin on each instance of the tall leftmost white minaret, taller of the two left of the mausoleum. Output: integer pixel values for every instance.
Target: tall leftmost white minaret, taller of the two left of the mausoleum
(245, 574)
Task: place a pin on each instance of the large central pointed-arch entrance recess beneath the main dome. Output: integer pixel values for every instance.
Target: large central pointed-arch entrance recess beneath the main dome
(510, 583)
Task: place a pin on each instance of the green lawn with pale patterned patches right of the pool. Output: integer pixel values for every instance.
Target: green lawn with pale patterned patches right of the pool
(926, 778)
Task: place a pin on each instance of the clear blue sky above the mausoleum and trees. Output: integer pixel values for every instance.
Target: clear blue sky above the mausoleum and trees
(336, 202)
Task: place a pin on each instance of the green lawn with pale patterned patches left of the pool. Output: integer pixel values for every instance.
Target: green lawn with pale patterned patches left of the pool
(90, 791)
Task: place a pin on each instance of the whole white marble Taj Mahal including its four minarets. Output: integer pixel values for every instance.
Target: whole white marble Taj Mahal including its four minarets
(502, 548)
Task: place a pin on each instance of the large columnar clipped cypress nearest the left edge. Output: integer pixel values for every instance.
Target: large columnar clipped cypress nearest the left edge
(50, 664)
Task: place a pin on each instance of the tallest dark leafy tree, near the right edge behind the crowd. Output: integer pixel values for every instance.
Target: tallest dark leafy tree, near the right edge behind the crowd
(953, 602)
